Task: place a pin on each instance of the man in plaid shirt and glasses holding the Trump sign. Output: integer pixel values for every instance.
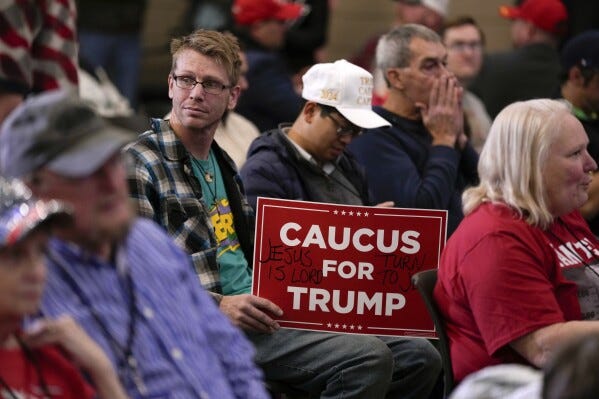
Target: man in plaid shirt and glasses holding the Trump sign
(181, 178)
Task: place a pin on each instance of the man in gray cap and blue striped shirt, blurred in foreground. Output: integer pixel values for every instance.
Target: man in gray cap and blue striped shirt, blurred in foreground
(122, 278)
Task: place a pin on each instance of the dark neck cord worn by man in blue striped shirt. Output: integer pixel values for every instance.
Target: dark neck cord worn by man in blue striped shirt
(125, 352)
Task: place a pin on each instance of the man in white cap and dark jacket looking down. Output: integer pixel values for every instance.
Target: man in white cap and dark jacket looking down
(307, 160)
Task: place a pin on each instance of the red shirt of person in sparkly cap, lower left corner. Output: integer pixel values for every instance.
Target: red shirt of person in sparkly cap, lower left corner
(62, 378)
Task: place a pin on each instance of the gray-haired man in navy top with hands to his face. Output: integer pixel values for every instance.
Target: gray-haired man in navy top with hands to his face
(424, 159)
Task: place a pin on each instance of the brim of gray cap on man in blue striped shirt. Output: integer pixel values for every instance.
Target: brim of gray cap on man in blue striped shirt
(86, 157)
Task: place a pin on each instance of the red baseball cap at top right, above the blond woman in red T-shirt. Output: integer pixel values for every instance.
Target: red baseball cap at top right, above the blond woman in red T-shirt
(549, 15)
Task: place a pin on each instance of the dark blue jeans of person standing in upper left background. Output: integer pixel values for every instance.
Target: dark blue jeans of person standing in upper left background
(118, 54)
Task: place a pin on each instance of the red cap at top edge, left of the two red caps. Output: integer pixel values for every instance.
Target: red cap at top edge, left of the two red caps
(246, 12)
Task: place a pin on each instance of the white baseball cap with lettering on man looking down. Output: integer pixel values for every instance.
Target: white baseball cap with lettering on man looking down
(345, 86)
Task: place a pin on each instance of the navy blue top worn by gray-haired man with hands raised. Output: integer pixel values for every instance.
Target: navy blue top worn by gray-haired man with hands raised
(402, 166)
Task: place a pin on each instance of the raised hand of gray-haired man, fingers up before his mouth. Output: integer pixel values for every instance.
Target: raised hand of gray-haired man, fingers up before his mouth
(443, 115)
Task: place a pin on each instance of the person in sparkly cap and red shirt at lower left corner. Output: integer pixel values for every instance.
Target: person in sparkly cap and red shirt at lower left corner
(40, 360)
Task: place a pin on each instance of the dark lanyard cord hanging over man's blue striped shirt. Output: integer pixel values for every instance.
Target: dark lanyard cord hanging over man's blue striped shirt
(124, 353)
